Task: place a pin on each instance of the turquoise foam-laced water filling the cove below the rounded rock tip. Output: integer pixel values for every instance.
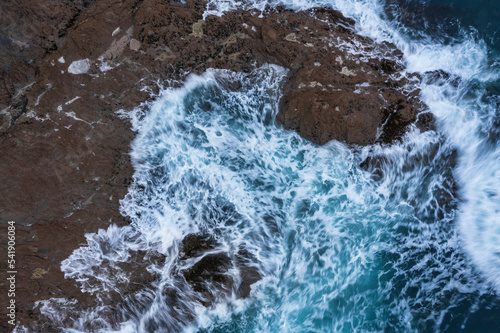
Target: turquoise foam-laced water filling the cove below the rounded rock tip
(337, 251)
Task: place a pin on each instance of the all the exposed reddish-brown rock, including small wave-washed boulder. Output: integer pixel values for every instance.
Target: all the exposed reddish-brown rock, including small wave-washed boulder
(64, 149)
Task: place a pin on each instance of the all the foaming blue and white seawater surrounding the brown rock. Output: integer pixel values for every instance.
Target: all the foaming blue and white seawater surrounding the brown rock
(413, 247)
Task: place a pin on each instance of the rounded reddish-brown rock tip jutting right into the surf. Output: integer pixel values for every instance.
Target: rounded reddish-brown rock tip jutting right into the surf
(337, 96)
